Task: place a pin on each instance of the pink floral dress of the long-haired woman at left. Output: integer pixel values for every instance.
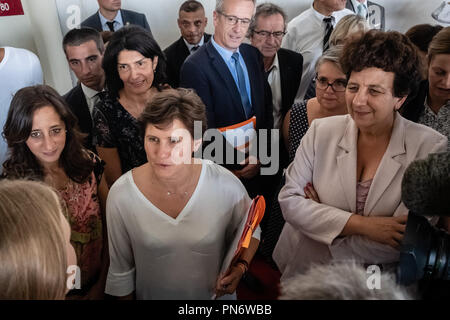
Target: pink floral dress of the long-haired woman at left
(86, 223)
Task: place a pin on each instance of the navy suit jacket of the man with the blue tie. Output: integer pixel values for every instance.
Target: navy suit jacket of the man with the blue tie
(206, 72)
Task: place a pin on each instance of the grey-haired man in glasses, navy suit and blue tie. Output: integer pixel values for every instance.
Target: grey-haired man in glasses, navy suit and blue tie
(229, 77)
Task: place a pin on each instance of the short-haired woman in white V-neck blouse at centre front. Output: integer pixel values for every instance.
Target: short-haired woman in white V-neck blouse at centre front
(171, 220)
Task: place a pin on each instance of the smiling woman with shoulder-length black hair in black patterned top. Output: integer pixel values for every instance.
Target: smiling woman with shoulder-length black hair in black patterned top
(135, 70)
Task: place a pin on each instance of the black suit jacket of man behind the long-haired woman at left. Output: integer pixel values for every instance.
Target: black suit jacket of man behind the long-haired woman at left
(77, 103)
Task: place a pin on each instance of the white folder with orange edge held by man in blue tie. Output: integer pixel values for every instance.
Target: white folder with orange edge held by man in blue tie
(240, 135)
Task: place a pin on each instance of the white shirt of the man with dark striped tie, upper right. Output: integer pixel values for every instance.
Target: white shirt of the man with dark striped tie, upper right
(305, 35)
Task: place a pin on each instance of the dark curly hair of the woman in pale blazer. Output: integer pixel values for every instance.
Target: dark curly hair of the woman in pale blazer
(390, 51)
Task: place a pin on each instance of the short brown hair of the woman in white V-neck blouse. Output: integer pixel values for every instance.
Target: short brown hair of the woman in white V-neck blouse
(168, 105)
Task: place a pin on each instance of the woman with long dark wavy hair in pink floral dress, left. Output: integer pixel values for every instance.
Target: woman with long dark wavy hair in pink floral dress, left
(45, 145)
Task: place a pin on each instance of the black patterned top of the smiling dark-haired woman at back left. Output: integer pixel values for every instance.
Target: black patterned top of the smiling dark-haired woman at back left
(115, 127)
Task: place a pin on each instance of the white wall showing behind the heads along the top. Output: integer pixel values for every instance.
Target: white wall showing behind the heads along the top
(40, 31)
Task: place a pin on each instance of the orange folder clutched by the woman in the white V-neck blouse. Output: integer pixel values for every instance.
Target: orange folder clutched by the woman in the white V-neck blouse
(244, 233)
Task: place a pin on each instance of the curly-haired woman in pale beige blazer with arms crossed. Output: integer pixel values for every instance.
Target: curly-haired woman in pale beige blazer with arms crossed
(342, 196)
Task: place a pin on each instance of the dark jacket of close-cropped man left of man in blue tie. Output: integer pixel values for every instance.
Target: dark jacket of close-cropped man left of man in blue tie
(176, 53)
